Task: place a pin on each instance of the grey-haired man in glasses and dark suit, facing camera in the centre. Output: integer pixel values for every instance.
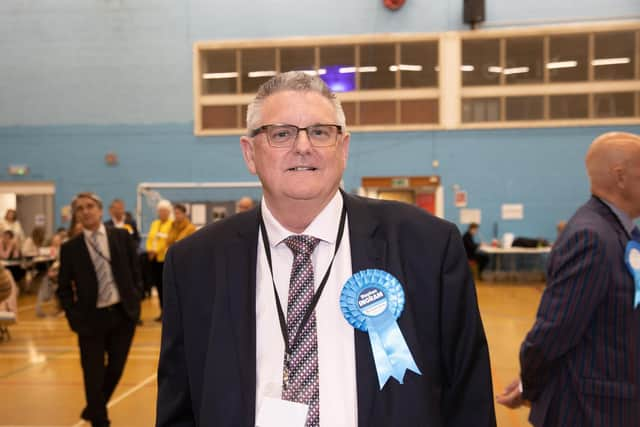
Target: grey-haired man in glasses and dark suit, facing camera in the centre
(228, 354)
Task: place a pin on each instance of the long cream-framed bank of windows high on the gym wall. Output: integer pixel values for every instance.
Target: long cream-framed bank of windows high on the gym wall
(561, 75)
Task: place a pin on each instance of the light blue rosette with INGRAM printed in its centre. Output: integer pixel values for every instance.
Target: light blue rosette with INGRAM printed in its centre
(371, 301)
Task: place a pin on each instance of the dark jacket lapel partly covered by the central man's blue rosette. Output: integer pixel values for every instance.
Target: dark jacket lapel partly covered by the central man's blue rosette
(367, 251)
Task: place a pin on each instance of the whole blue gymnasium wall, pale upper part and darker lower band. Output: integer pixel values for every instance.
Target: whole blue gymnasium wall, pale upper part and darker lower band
(80, 78)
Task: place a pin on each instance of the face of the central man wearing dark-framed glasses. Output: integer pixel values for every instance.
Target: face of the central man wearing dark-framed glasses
(301, 172)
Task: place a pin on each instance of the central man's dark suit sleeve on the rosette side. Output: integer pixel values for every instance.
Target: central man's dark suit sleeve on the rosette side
(468, 392)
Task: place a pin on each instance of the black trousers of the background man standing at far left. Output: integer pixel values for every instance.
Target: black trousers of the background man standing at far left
(112, 336)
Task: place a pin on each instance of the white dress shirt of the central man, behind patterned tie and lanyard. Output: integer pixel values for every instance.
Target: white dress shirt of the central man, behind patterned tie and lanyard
(336, 348)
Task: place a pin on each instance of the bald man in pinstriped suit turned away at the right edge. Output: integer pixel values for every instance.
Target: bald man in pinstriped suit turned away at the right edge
(580, 363)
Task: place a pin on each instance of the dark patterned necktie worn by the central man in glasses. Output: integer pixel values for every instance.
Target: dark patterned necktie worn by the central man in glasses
(302, 382)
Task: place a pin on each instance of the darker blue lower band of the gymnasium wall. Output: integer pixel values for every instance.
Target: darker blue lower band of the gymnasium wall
(541, 168)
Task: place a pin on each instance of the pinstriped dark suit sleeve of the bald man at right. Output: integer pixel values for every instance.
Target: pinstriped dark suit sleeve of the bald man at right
(576, 284)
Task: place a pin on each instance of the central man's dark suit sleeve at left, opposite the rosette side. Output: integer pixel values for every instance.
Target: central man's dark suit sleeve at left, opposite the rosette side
(174, 399)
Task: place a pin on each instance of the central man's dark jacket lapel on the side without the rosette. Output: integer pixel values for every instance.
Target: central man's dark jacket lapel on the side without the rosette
(241, 281)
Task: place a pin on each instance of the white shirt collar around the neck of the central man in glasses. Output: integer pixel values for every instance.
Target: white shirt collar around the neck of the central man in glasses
(324, 226)
